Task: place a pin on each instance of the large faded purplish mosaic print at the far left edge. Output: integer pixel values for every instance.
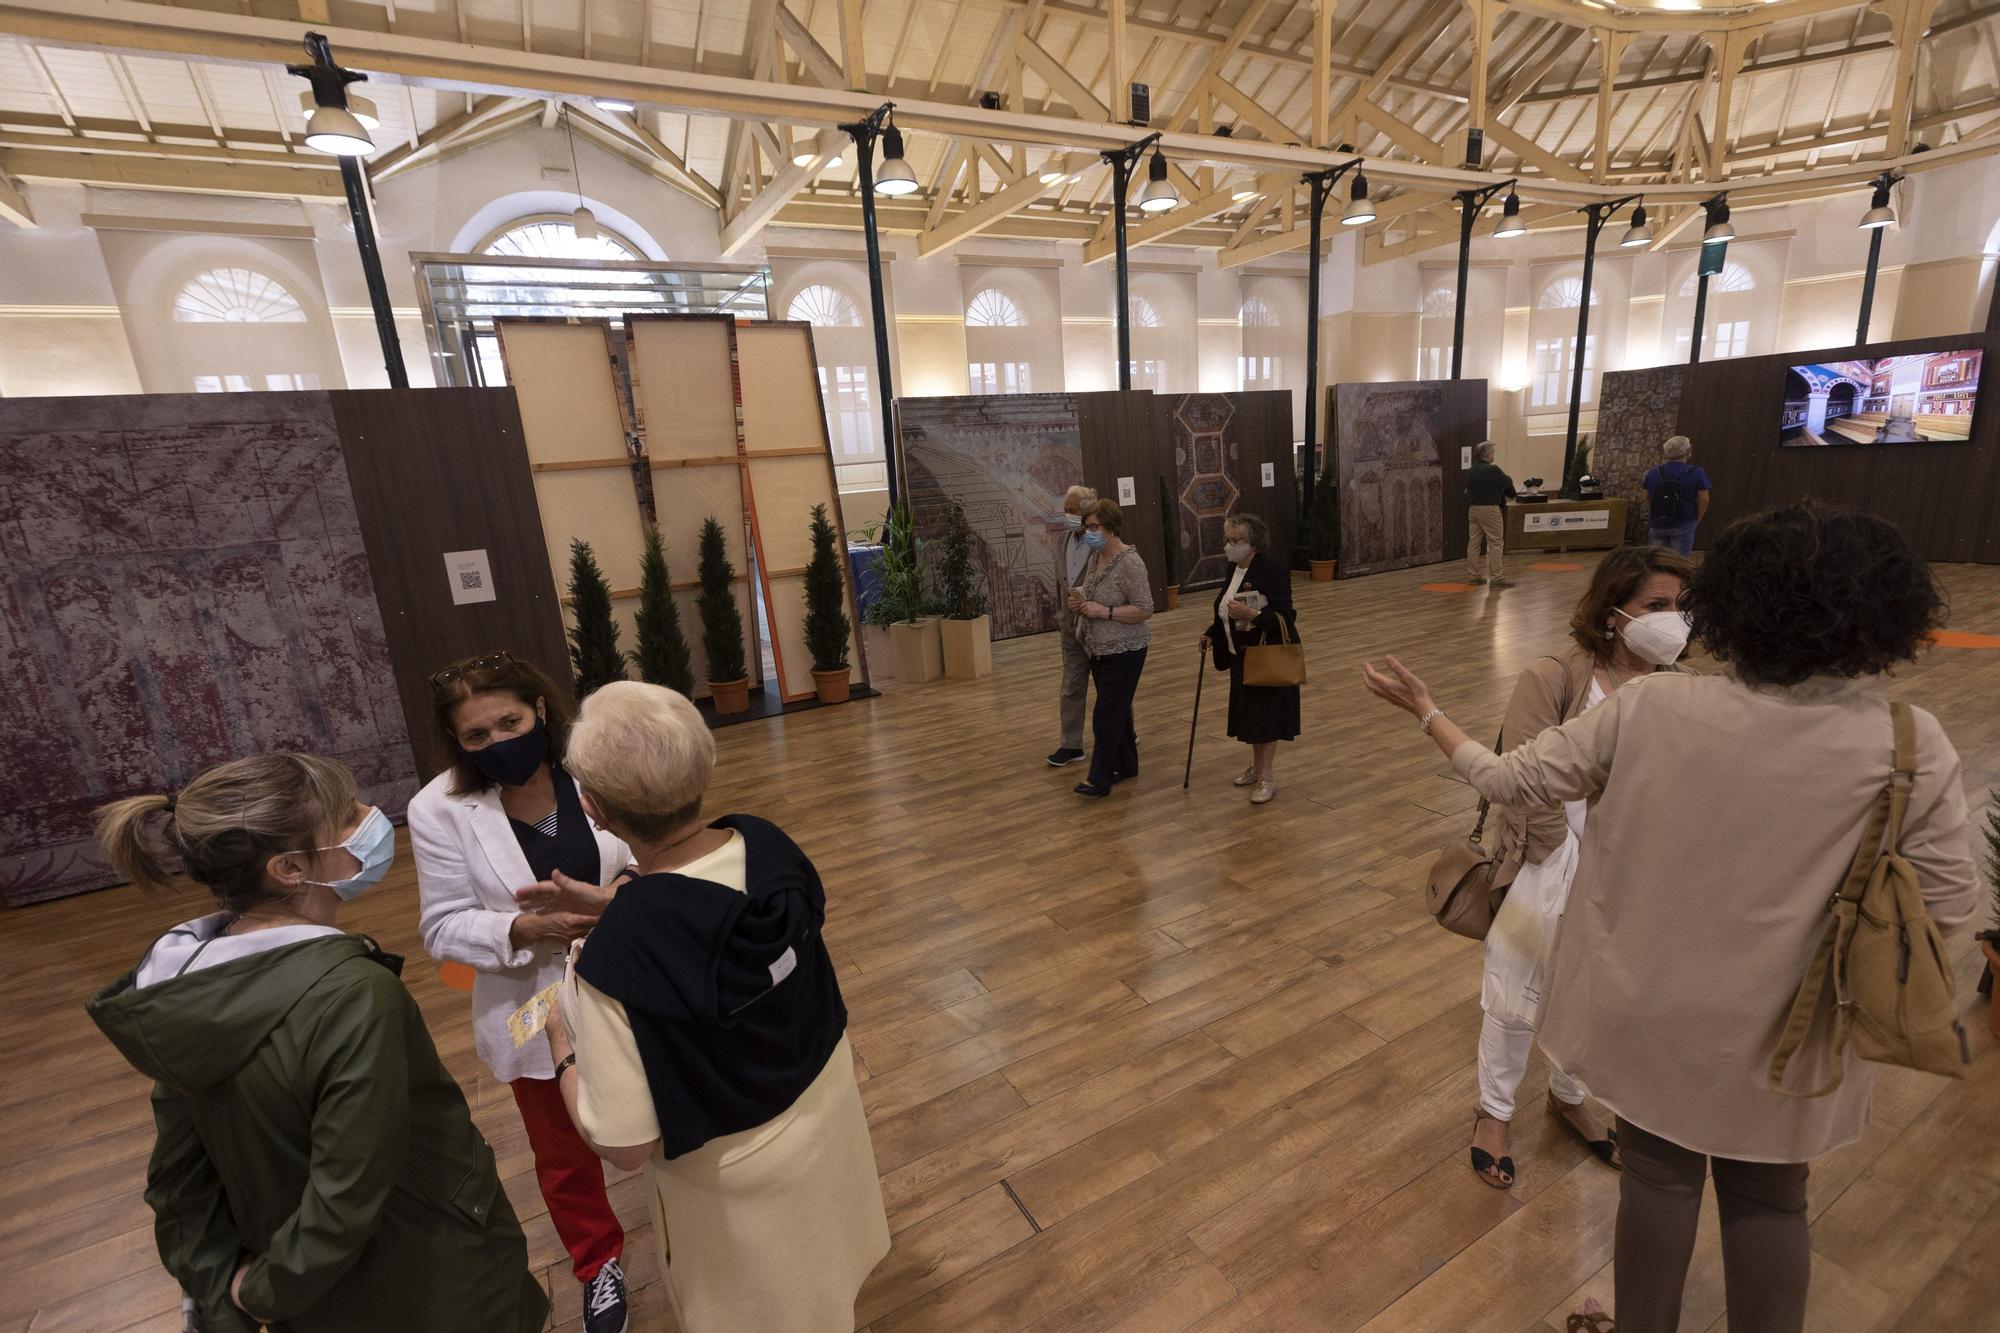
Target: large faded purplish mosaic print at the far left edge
(183, 583)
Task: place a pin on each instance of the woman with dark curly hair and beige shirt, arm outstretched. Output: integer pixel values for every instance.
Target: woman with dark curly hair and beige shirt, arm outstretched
(1725, 814)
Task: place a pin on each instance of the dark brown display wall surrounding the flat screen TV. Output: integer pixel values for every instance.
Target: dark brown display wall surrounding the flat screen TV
(1945, 497)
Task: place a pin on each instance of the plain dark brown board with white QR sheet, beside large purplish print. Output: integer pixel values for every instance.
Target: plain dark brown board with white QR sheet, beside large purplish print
(447, 471)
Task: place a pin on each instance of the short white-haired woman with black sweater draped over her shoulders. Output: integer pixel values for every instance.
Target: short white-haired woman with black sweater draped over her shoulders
(703, 1036)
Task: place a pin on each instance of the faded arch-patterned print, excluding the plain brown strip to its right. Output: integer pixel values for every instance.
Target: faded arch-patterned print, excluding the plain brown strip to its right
(1391, 479)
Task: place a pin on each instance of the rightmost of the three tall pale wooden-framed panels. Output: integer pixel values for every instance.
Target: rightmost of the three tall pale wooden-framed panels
(789, 469)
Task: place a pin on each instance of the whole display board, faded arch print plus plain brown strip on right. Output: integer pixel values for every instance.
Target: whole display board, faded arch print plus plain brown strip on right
(1399, 457)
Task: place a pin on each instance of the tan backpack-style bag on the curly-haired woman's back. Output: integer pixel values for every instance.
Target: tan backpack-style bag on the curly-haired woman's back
(1881, 964)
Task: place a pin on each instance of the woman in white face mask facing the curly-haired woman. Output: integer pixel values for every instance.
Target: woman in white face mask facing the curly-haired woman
(1627, 625)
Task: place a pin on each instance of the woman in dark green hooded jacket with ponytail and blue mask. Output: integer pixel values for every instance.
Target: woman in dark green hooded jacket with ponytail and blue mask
(315, 1168)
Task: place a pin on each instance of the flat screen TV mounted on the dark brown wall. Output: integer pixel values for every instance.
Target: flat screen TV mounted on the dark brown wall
(1921, 399)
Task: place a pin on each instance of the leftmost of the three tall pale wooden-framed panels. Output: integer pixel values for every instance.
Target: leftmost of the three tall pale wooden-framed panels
(567, 381)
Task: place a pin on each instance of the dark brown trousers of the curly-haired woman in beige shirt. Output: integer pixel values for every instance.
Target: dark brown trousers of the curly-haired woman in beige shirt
(1767, 1250)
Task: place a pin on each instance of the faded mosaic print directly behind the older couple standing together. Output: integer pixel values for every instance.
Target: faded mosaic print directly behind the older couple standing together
(1009, 459)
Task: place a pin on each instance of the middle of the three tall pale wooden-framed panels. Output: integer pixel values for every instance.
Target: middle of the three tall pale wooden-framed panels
(687, 417)
